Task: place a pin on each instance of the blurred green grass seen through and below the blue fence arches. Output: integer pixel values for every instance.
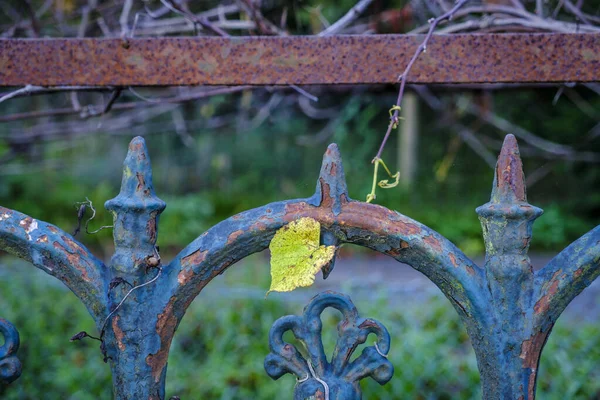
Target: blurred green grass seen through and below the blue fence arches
(220, 346)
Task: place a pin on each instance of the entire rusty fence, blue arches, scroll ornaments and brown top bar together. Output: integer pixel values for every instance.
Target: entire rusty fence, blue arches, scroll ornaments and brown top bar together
(508, 309)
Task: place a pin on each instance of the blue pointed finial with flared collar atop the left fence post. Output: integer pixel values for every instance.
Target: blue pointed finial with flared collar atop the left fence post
(137, 191)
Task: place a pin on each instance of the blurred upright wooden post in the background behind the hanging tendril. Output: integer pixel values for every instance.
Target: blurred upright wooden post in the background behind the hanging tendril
(407, 143)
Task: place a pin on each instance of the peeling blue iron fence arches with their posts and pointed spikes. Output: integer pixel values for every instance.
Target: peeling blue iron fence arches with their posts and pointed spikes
(507, 308)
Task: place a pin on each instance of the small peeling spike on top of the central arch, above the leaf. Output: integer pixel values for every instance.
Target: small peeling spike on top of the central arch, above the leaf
(331, 187)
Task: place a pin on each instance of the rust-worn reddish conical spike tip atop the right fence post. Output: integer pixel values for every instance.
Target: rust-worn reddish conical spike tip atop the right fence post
(509, 180)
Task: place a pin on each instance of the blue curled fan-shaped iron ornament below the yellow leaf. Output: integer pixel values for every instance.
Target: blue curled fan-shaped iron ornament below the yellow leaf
(317, 378)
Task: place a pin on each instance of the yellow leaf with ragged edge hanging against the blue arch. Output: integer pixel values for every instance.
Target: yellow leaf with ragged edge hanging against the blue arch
(297, 256)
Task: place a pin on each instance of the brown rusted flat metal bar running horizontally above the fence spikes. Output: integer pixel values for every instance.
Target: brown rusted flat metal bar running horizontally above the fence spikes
(302, 60)
